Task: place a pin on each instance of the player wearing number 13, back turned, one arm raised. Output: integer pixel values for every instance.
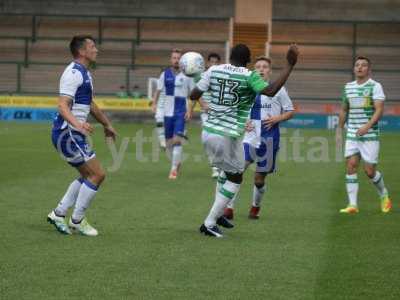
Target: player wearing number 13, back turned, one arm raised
(233, 88)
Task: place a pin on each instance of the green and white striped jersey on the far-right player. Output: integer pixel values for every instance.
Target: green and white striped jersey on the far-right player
(360, 100)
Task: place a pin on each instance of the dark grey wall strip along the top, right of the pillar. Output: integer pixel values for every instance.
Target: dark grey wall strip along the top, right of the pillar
(346, 10)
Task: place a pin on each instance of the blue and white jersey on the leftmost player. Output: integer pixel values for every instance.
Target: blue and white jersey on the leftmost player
(75, 83)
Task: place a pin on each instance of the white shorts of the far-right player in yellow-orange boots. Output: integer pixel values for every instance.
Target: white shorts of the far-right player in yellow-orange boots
(369, 150)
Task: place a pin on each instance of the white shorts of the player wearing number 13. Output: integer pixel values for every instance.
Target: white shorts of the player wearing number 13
(225, 153)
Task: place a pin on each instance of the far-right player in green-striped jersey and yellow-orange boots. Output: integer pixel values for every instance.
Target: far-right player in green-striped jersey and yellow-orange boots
(362, 108)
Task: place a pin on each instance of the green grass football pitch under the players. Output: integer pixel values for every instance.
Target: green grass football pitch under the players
(149, 246)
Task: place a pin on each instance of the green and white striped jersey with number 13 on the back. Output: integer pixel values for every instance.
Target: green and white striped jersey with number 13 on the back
(232, 92)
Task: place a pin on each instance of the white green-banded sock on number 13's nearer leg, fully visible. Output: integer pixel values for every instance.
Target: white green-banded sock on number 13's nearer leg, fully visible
(227, 191)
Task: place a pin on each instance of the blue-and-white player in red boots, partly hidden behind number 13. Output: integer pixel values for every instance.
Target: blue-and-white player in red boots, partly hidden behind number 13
(261, 139)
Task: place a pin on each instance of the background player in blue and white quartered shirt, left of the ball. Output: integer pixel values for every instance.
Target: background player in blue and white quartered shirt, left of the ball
(176, 87)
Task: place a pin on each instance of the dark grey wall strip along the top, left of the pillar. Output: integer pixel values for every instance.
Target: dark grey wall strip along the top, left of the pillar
(164, 8)
